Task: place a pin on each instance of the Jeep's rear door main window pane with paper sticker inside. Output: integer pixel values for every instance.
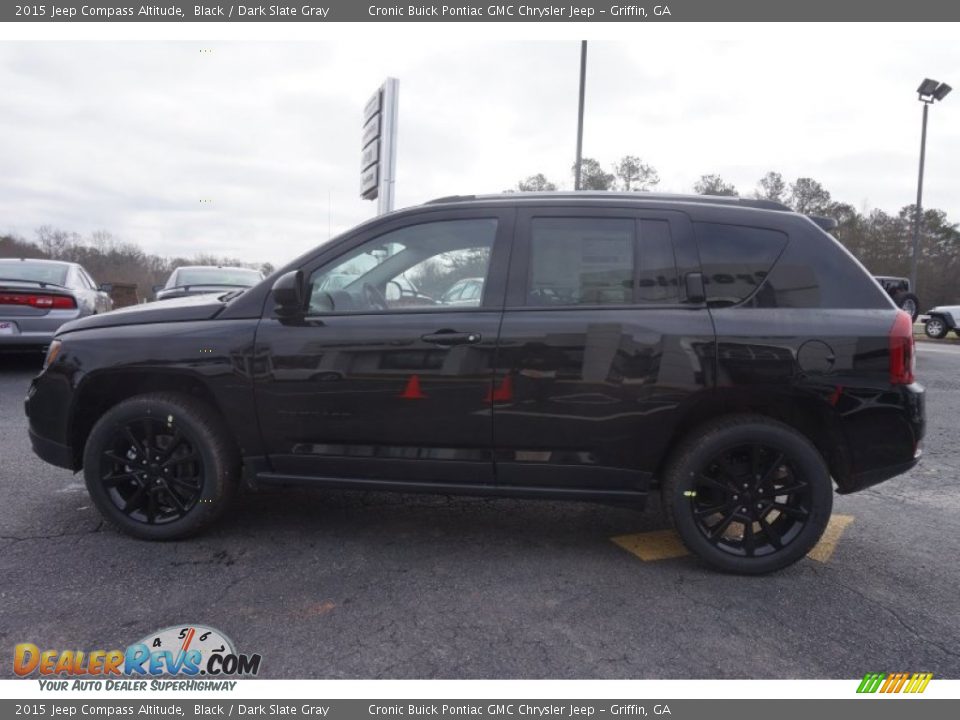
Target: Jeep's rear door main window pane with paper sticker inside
(581, 261)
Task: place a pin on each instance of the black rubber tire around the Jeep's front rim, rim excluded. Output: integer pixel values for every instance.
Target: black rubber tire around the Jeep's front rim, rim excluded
(214, 487)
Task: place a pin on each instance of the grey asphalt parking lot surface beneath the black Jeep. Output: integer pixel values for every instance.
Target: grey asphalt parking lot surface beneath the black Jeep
(357, 585)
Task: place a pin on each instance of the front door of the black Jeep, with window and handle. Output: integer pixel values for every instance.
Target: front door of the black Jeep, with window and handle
(385, 377)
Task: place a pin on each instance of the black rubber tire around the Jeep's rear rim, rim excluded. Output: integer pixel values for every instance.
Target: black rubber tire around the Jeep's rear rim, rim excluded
(798, 451)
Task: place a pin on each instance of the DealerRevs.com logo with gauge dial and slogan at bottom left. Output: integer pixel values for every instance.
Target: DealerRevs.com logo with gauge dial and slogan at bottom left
(178, 651)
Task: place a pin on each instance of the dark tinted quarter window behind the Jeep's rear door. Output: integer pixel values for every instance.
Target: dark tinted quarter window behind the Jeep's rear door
(736, 259)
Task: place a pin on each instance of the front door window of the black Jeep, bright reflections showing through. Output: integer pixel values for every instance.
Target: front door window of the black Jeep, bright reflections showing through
(423, 266)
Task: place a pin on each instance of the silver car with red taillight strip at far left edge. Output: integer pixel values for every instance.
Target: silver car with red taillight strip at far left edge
(38, 296)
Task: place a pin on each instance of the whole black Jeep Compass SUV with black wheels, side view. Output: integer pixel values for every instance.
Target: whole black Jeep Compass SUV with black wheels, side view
(728, 354)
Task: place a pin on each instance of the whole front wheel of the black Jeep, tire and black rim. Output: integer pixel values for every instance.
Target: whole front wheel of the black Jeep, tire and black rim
(179, 496)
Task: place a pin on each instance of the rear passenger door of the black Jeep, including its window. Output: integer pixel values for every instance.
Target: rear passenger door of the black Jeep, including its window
(599, 346)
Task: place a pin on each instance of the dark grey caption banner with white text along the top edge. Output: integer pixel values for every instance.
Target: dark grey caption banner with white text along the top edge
(465, 11)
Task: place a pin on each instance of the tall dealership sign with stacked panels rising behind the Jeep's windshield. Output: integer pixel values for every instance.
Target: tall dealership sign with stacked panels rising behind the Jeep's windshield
(378, 146)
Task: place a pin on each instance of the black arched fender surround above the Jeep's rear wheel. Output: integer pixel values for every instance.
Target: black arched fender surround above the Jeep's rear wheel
(810, 415)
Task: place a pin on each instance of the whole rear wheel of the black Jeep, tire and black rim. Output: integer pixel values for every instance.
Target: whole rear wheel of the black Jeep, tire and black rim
(703, 488)
